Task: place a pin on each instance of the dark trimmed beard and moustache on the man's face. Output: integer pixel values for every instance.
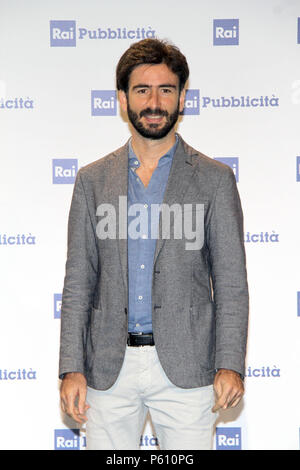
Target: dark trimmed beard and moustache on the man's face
(153, 131)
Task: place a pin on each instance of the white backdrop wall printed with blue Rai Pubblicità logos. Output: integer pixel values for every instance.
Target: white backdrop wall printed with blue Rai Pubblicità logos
(58, 112)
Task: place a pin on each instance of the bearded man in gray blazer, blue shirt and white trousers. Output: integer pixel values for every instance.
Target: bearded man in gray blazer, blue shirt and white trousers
(152, 321)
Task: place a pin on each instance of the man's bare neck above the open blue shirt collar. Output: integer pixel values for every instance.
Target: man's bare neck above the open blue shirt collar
(149, 151)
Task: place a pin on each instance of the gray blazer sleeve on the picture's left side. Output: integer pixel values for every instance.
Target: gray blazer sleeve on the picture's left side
(80, 280)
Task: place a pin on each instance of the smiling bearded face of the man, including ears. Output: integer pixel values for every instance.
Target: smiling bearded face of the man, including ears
(153, 101)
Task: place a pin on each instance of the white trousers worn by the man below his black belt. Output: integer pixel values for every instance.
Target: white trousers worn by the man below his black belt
(182, 418)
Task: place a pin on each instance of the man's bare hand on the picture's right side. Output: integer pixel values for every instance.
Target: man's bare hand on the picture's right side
(229, 389)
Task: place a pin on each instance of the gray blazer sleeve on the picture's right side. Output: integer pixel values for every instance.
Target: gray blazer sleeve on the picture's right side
(229, 276)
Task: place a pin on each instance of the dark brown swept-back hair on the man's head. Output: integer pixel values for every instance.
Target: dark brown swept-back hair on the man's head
(151, 51)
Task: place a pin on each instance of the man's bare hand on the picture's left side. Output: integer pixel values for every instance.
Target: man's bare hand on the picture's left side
(73, 395)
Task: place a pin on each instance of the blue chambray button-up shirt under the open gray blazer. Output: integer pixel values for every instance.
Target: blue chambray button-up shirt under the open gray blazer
(141, 246)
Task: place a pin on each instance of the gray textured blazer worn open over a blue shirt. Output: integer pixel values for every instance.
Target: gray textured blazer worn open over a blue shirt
(199, 297)
